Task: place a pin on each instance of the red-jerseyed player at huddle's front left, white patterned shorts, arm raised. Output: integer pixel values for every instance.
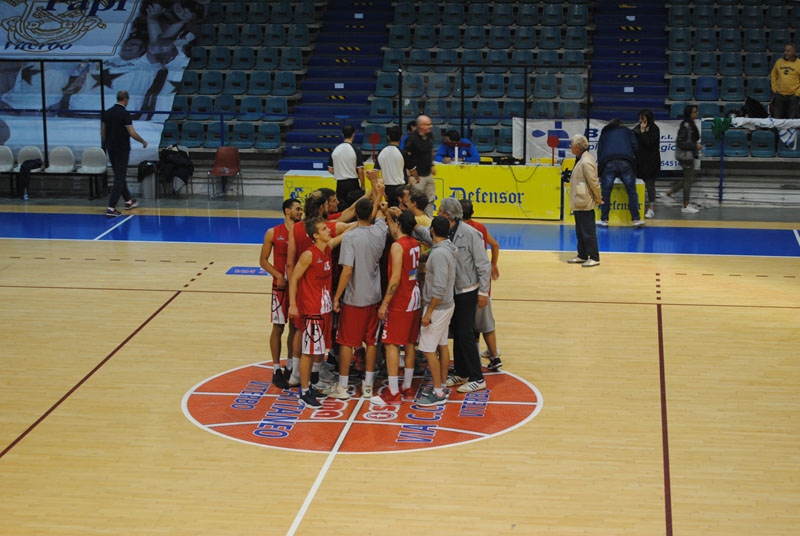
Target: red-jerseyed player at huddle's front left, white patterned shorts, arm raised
(310, 300)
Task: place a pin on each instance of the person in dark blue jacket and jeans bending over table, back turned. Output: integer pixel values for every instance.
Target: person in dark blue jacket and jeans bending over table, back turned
(616, 157)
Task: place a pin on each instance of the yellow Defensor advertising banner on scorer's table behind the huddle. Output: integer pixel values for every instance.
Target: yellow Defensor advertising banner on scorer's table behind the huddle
(515, 192)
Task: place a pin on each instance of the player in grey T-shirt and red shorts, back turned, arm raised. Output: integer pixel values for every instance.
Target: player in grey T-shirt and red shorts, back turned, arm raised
(360, 283)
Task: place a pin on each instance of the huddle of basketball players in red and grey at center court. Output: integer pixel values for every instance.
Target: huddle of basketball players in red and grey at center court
(375, 273)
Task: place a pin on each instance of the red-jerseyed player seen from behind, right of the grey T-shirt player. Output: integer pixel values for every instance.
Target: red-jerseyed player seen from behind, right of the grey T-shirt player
(400, 311)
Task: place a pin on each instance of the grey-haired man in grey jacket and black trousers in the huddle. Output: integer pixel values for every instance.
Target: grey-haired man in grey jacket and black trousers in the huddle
(473, 275)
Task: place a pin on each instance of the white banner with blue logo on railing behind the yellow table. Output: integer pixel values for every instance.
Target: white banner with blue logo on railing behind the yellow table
(559, 132)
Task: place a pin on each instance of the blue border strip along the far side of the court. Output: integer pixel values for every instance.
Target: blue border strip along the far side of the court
(517, 236)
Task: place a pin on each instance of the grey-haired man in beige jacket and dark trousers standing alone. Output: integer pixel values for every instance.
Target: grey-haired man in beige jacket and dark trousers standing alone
(584, 196)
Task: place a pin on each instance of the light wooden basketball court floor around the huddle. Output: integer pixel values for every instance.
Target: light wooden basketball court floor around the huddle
(655, 394)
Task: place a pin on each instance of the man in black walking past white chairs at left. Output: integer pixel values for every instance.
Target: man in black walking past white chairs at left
(117, 131)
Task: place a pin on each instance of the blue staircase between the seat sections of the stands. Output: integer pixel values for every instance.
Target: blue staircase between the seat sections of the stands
(340, 79)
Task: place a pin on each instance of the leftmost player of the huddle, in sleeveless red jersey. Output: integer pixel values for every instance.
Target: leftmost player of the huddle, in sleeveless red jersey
(276, 242)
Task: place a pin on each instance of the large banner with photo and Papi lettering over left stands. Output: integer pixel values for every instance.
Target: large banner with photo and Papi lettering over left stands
(52, 47)
